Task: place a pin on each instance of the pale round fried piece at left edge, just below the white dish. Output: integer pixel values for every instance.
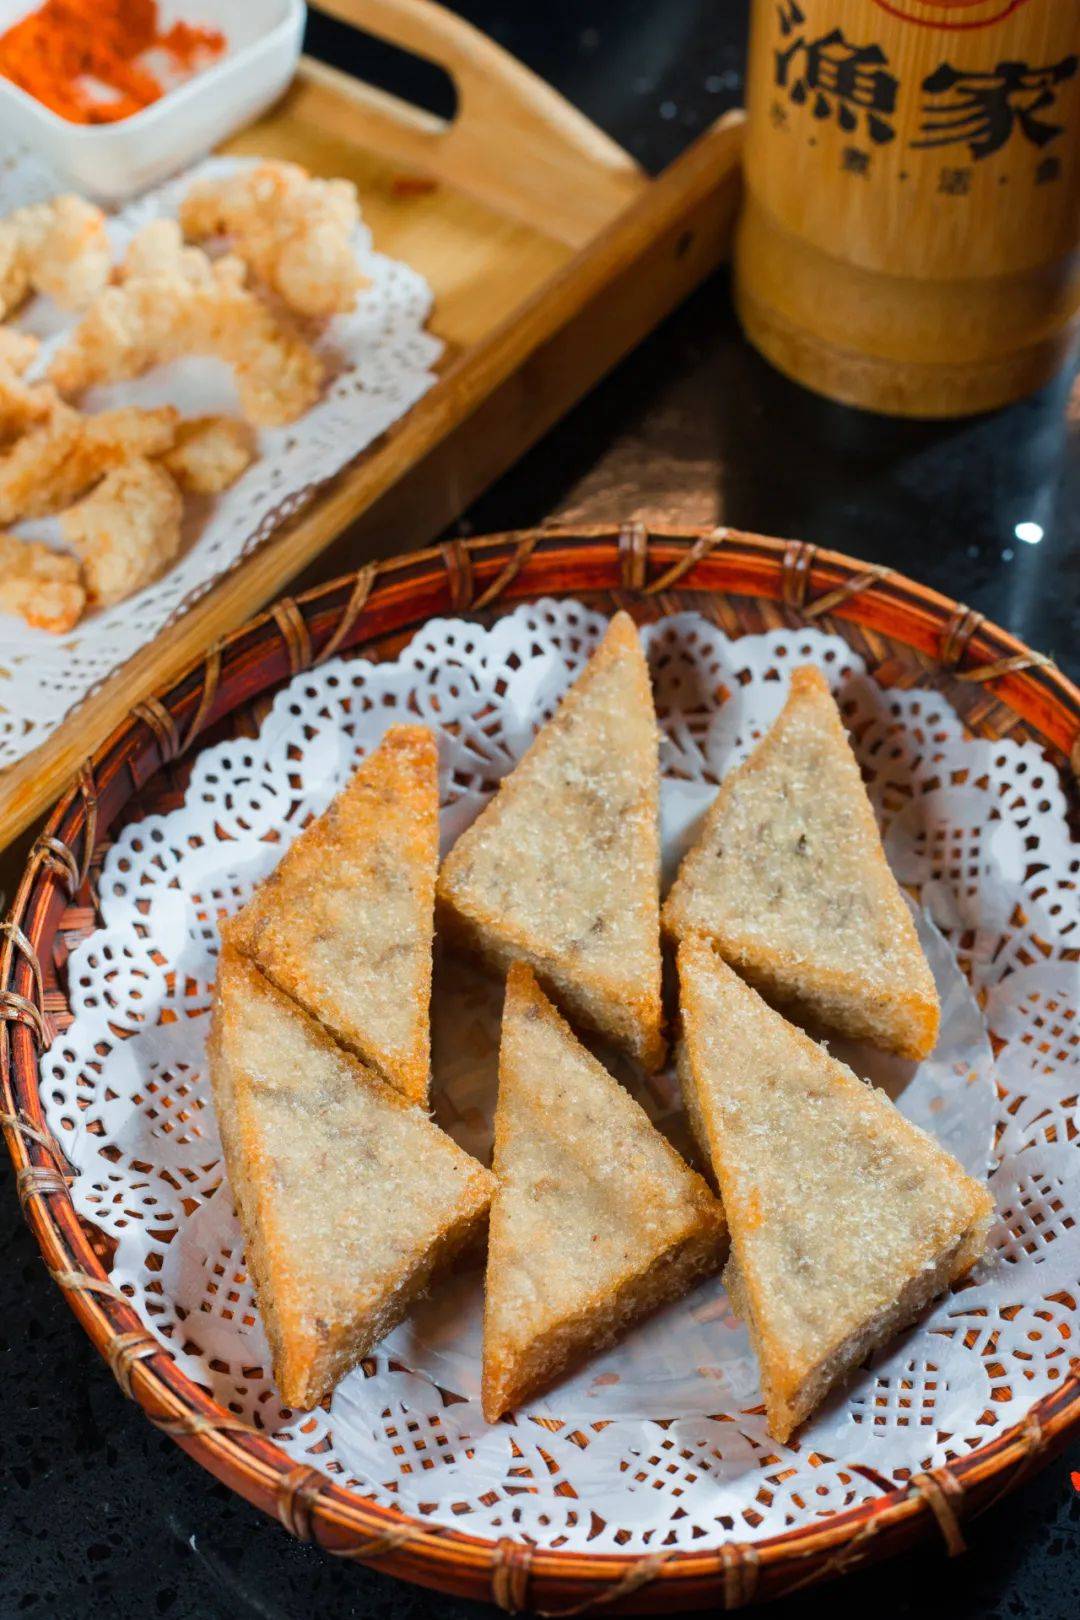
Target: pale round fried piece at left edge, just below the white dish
(59, 249)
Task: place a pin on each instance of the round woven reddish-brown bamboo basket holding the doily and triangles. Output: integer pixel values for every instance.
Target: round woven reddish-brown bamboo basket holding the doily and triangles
(909, 636)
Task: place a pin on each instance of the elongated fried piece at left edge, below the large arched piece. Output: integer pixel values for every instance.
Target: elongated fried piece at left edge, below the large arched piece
(67, 454)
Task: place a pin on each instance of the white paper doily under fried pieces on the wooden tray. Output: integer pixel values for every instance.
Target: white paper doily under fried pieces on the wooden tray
(380, 360)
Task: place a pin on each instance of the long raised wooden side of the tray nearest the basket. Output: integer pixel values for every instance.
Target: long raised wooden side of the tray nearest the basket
(618, 288)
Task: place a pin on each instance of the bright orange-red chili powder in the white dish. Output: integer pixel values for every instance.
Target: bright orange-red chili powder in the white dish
(56, 51)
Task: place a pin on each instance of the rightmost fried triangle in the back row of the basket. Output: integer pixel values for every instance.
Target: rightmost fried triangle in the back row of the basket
(791, 884)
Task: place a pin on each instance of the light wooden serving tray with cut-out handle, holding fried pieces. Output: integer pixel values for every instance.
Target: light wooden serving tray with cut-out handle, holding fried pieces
(550, 255)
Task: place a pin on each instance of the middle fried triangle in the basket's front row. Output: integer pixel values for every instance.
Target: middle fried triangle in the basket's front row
(597, 1219)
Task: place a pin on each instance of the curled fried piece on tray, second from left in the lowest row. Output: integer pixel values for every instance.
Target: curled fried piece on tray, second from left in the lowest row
(127, 531)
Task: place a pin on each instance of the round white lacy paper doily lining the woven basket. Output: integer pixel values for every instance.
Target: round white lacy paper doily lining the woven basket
(681, 1459)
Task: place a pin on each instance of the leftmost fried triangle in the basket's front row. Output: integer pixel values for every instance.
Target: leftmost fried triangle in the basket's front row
(349, 1196)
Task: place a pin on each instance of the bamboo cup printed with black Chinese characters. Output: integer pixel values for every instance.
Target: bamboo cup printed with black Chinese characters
(911, 236)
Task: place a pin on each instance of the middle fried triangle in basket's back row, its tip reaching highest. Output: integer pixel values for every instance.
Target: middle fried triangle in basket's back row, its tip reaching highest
(563, 868)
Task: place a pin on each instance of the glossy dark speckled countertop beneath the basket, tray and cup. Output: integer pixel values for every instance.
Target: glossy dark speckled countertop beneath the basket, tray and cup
(100, 1516)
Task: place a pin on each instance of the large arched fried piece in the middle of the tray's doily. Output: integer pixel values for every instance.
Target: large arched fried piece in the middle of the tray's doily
(192, 309)
